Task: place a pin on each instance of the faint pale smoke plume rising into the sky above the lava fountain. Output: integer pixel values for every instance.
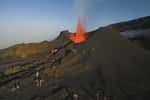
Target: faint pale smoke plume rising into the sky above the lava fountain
(86, 10)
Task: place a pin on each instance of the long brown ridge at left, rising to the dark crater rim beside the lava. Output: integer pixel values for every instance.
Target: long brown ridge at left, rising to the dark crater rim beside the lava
(30, 49)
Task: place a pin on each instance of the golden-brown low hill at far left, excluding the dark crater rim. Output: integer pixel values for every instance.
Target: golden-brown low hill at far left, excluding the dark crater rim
(24, 50)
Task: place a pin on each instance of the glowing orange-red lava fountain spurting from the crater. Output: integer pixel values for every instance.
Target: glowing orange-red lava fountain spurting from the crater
(80, 35)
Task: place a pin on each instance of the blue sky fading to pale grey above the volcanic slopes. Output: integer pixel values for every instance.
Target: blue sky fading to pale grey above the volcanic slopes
(25, 21)
